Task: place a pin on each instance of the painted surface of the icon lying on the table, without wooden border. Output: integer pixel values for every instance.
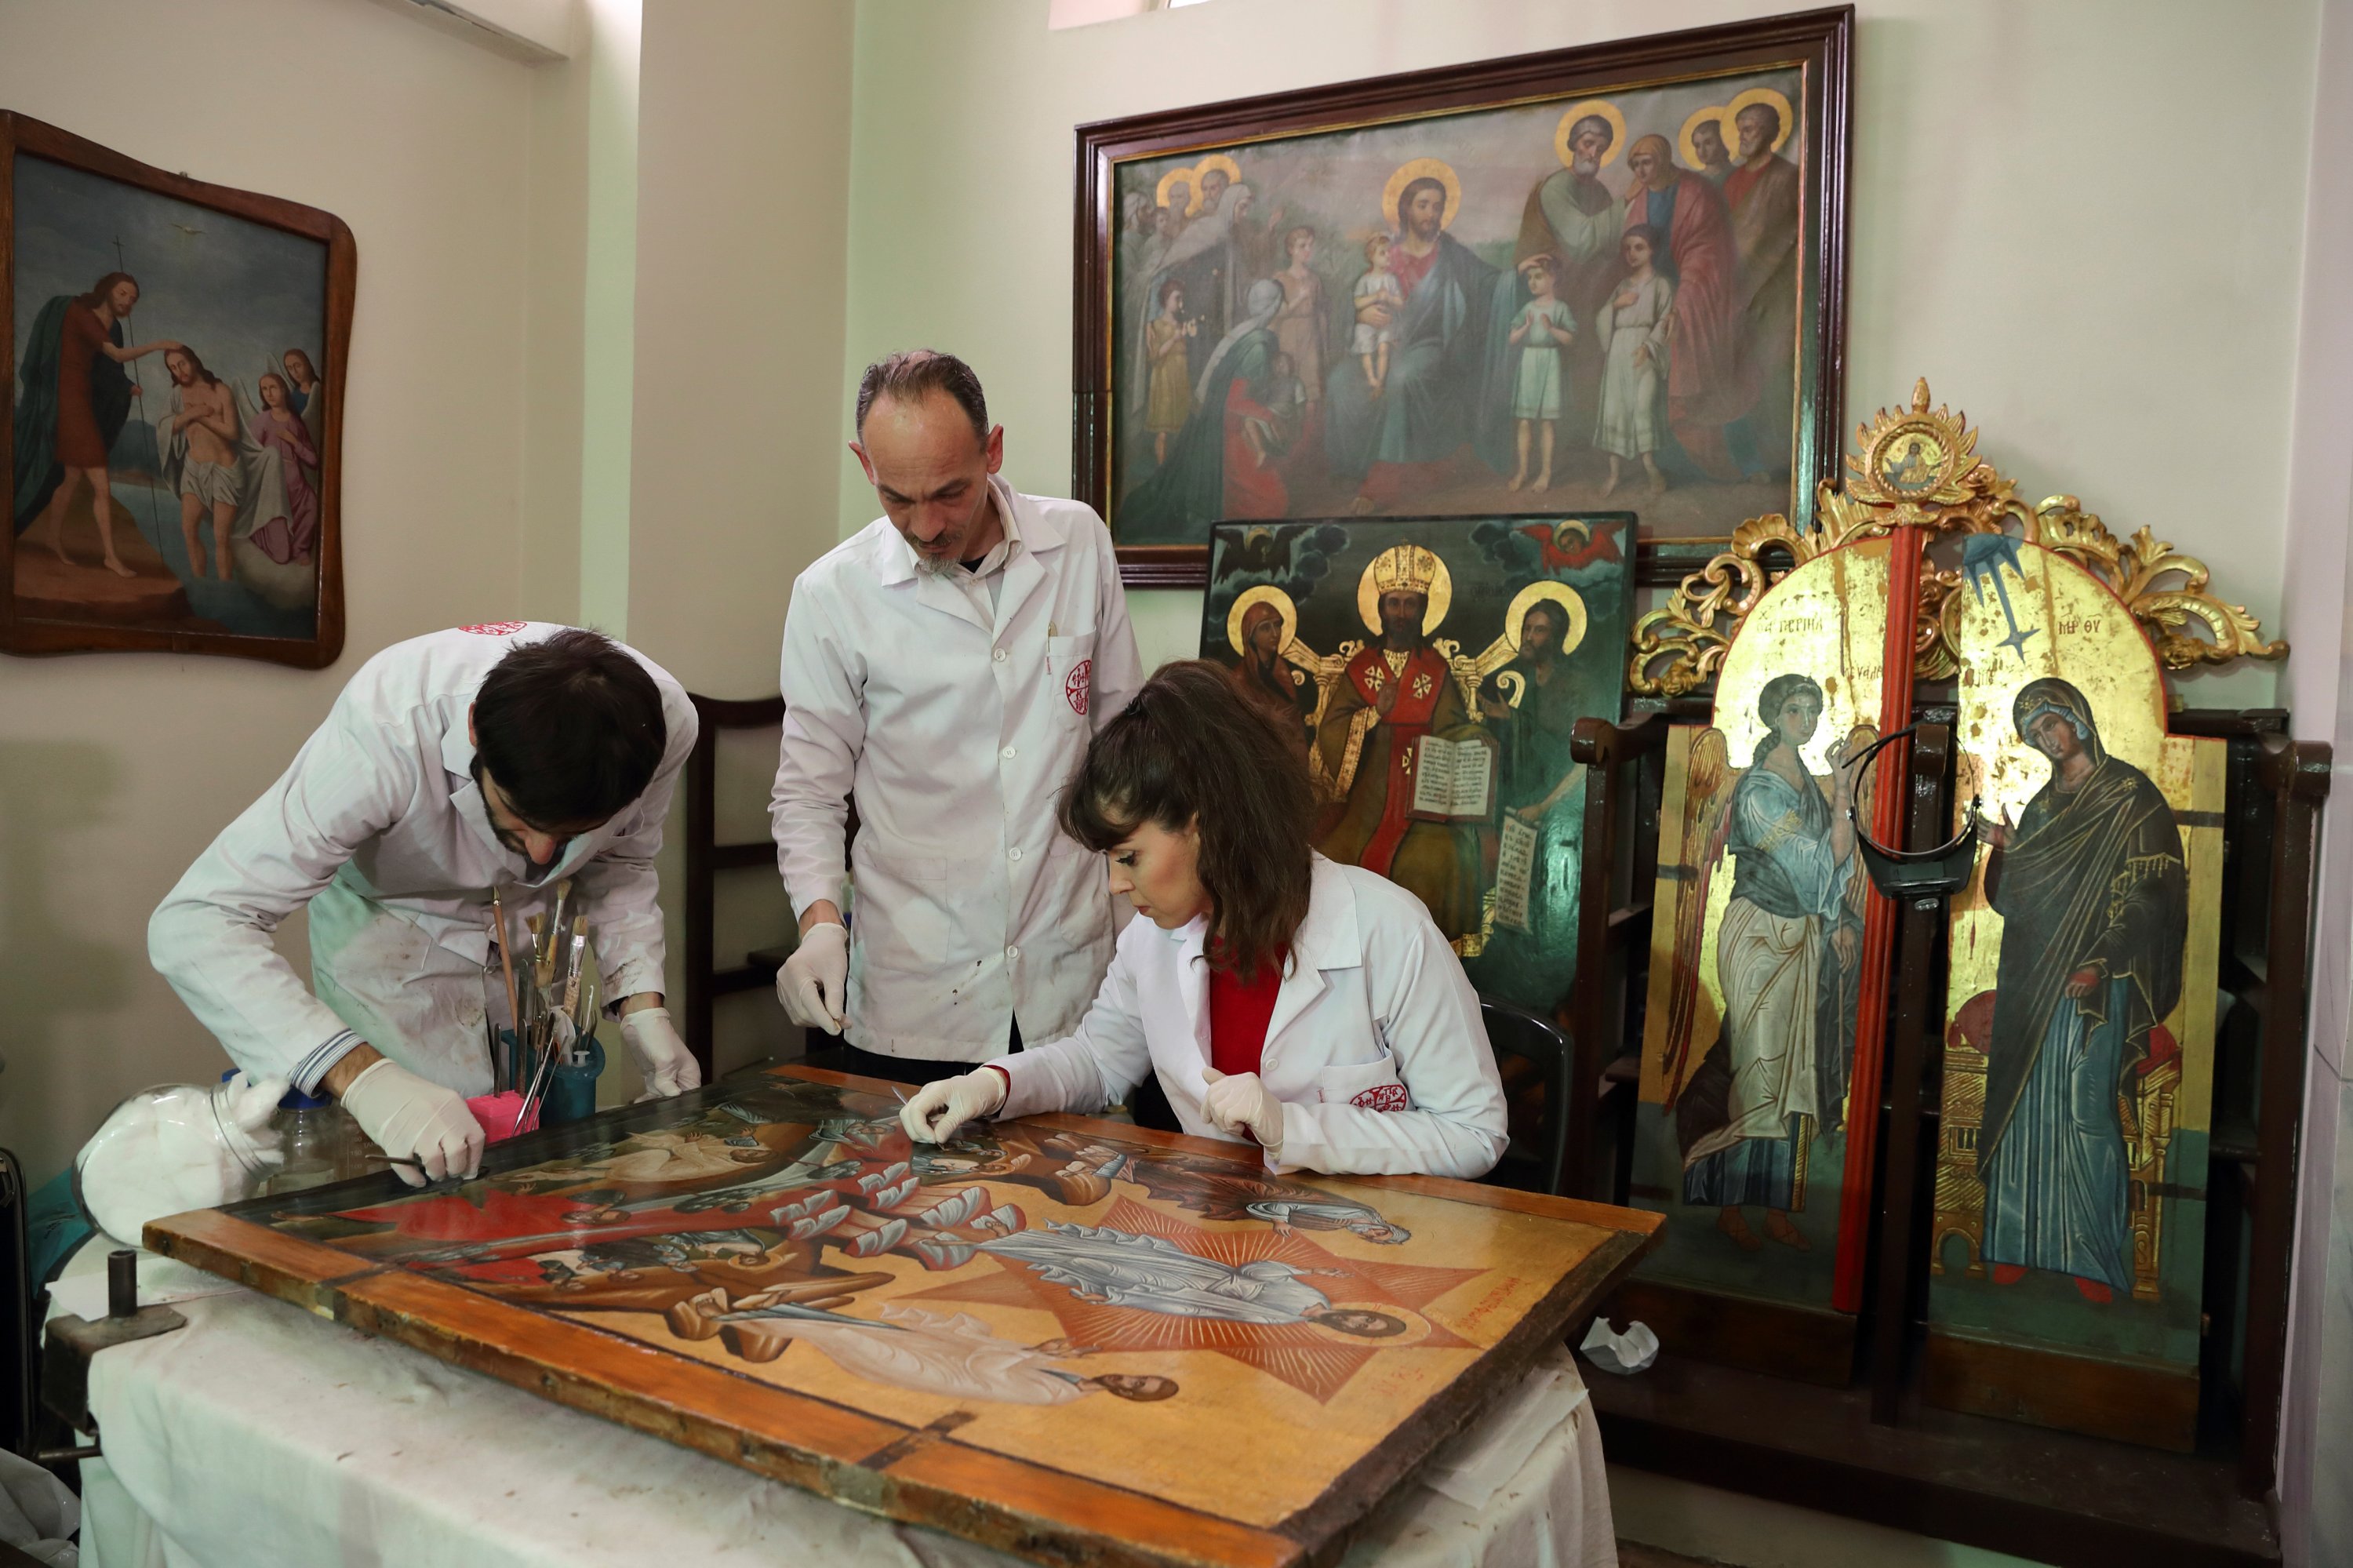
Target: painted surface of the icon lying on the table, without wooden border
(1053, 1296)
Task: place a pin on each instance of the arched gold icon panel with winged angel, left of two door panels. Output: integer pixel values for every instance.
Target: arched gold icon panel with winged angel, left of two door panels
(1757, 945)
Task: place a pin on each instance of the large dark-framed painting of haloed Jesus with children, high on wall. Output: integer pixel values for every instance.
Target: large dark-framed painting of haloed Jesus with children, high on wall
(1606, 277)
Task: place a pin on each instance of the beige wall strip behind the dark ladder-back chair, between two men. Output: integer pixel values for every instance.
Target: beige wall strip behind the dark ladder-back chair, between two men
(742, 267)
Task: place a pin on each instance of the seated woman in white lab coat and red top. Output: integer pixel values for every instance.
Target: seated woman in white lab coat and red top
(1279, 997)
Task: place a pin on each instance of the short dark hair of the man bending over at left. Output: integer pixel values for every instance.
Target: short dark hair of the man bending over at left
(571, 726)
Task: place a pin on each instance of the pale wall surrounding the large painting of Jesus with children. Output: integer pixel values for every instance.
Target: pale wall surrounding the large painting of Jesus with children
(2037, 230)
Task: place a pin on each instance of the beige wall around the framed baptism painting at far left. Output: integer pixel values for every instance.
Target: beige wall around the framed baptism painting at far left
(119, 769)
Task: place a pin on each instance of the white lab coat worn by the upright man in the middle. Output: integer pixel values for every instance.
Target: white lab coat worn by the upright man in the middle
(954, 731)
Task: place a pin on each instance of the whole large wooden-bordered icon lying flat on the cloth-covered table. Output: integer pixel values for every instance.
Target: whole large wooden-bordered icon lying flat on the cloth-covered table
(1041, 1336)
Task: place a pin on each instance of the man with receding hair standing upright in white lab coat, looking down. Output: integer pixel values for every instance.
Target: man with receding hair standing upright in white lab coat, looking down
(945, 670)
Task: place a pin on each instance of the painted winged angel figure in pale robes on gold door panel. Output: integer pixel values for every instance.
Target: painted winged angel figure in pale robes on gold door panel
(1749, 1103)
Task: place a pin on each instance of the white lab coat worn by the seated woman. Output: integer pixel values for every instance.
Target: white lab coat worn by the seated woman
(1375, 1049)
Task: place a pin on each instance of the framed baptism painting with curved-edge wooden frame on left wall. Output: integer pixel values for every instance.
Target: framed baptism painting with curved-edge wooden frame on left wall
(175, 394)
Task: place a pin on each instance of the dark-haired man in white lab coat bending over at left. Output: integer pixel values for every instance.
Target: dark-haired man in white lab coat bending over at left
(509, 757)
